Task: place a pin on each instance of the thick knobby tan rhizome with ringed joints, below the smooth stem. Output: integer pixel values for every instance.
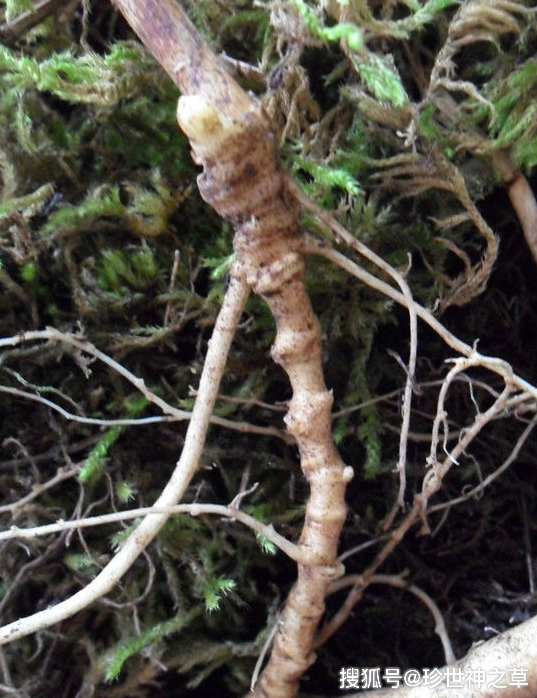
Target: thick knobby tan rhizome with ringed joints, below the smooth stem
(242, 182)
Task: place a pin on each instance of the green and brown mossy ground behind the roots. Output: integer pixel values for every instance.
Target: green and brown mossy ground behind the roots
(98, 199)
